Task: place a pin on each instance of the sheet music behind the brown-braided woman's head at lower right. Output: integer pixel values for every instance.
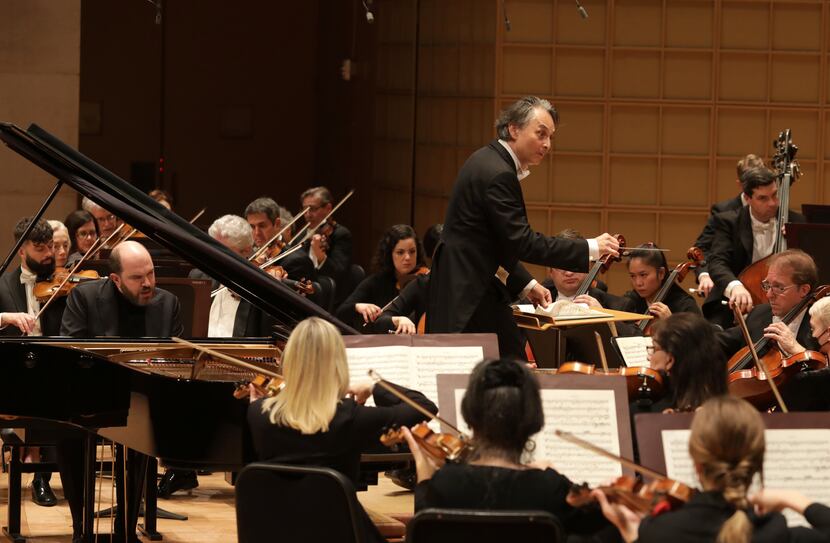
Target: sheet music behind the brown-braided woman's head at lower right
(795, 459)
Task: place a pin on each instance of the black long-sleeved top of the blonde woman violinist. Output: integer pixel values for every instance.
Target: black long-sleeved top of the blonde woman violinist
(353, 430)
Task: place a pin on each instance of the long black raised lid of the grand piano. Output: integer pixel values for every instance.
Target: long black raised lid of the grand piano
(157, 222)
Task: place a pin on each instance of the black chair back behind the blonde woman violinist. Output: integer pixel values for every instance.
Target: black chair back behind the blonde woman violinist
(277, 502)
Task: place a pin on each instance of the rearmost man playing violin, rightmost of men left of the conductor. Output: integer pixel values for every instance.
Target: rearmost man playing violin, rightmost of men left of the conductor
(331, 255)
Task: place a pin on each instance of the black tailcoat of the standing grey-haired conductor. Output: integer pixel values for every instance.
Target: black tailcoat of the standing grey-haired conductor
(486, 227)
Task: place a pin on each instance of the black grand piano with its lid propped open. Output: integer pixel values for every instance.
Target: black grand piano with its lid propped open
(164, 405)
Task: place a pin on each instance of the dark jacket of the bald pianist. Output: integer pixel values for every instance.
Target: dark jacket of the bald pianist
(92, 311)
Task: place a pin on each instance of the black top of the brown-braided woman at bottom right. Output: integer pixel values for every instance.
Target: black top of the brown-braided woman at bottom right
(700, 520)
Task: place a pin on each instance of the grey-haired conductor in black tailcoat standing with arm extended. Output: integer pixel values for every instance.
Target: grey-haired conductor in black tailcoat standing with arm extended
(486, 227)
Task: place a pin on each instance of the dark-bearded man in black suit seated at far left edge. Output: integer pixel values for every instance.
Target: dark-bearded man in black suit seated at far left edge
(19, 306)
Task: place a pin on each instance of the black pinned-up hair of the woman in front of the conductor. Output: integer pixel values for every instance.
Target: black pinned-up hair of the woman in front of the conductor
(503, 407)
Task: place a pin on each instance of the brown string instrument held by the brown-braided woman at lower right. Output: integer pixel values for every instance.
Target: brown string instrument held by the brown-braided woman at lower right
(657, 496)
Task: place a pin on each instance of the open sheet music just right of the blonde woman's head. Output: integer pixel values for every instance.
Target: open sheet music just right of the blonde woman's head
(412, 367)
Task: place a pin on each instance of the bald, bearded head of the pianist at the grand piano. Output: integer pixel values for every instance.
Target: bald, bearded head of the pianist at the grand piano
(132, 272)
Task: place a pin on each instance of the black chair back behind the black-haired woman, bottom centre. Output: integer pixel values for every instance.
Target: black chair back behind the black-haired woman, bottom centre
(483, 526)
